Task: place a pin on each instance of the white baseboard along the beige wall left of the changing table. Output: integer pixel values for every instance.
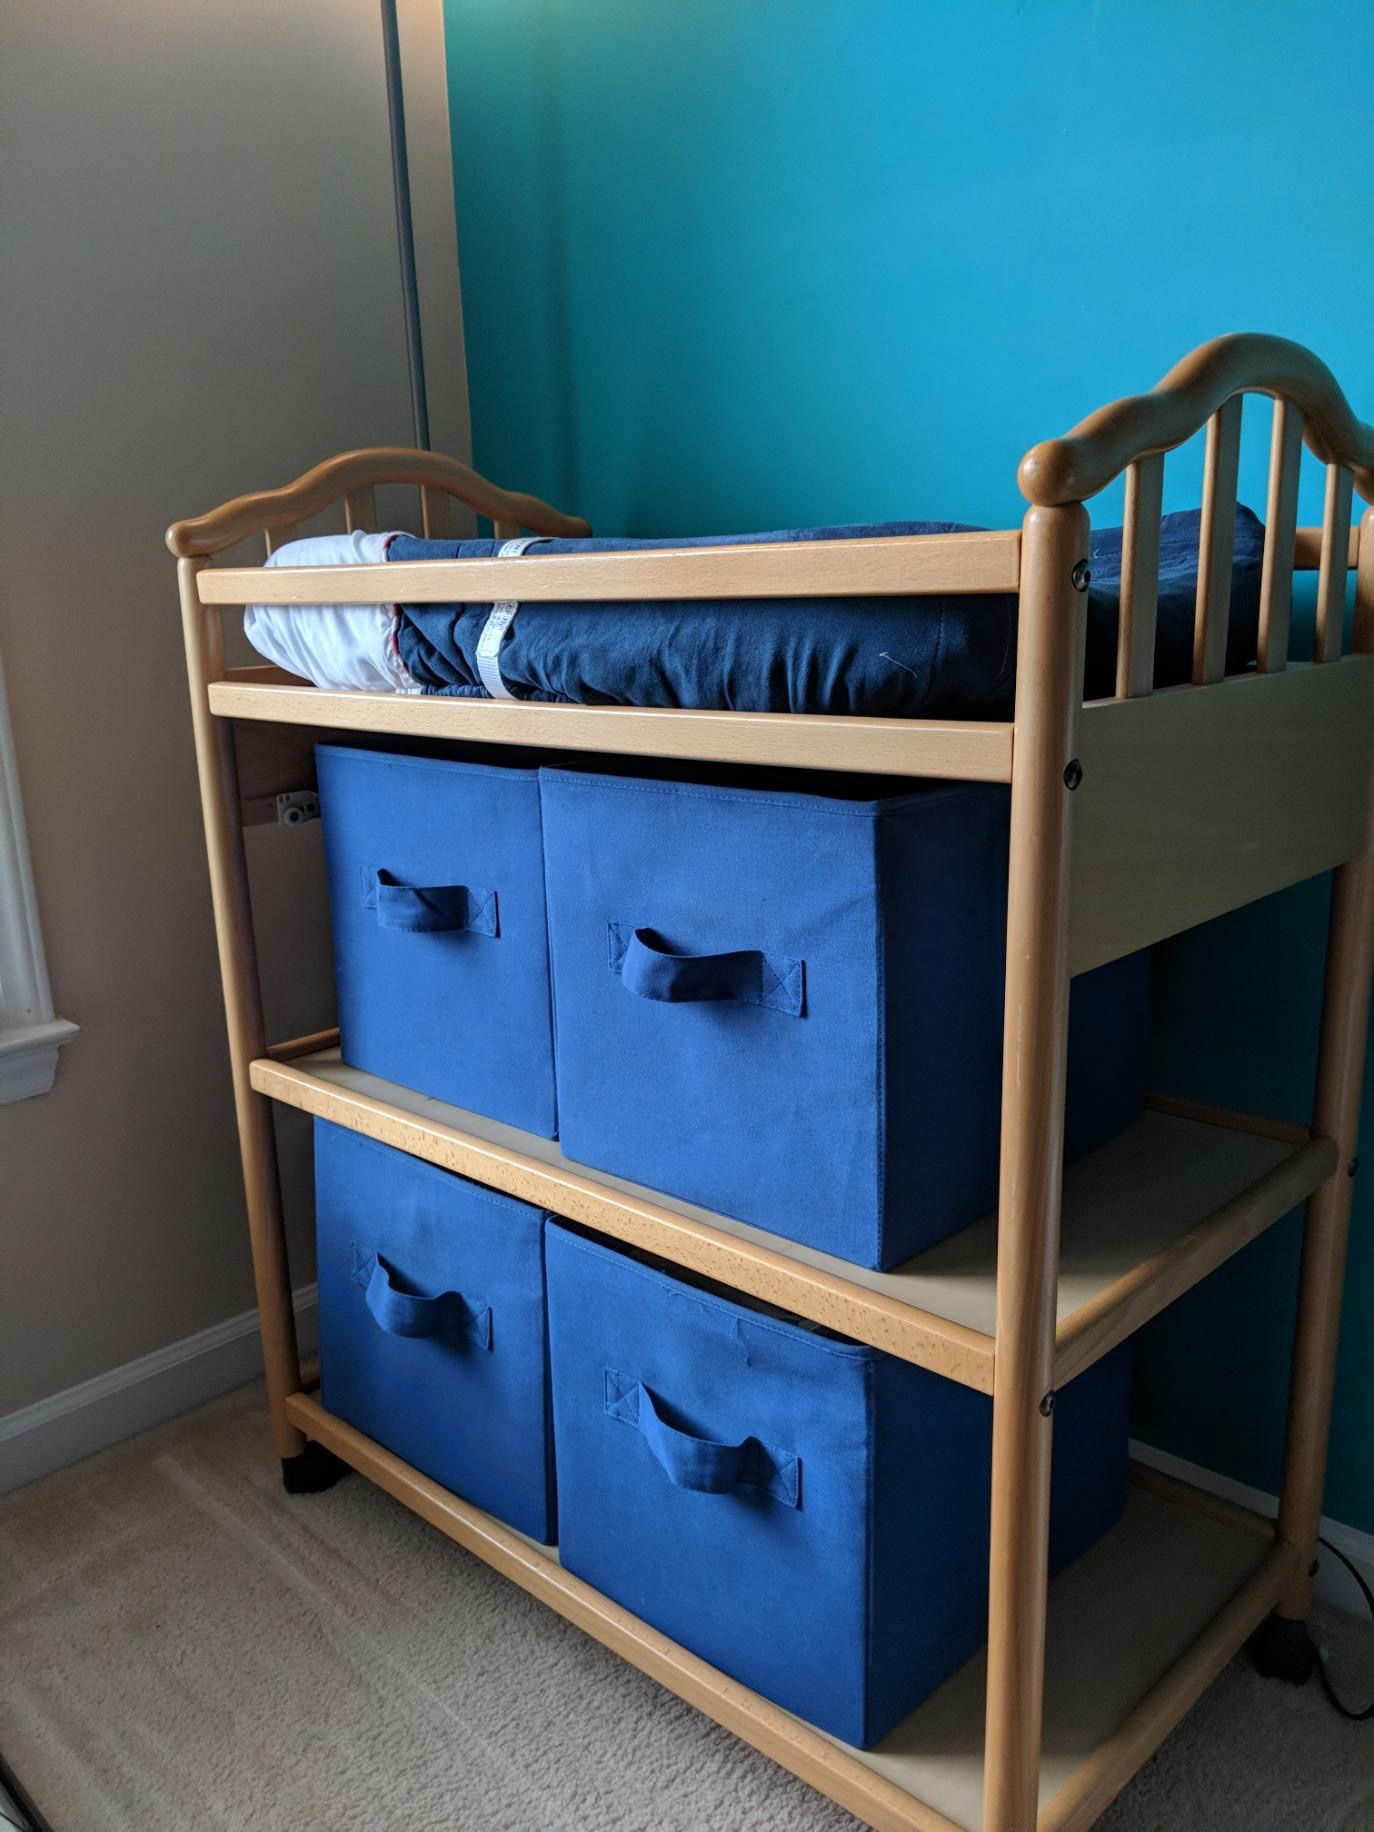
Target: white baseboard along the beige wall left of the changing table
(144, 1393)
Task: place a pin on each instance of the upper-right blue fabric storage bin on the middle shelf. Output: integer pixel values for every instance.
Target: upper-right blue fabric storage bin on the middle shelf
(789, 1007)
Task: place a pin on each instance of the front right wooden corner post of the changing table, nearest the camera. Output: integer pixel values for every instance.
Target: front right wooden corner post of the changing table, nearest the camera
(1045, 776)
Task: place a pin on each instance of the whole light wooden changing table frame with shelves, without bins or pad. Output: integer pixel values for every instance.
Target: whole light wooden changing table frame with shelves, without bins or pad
(1131, 820)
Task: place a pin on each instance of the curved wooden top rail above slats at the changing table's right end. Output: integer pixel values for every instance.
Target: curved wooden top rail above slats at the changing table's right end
(1100, 448)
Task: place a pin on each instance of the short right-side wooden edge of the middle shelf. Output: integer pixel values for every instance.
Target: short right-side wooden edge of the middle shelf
(1155, 1283)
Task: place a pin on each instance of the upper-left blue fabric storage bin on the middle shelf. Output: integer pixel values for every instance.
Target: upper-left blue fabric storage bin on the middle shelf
(441, 946)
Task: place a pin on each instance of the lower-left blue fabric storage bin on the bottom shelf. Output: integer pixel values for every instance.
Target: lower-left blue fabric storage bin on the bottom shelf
(433, 1324)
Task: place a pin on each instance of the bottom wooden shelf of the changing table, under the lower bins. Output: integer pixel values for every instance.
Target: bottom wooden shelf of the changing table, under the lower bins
(1139, 1628)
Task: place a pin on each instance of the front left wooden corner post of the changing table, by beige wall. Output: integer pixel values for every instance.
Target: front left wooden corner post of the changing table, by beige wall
(243, 1005)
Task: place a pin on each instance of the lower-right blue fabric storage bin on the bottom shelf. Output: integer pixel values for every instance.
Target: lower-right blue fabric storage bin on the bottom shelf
(807, 1514)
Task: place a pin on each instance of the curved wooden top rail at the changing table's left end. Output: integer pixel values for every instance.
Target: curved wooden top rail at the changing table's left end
(351, 475)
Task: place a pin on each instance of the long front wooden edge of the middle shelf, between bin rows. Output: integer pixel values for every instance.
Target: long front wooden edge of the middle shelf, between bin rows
(855, 1311)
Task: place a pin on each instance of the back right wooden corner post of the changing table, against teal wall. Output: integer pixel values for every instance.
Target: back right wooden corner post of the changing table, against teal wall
(1336, 1117)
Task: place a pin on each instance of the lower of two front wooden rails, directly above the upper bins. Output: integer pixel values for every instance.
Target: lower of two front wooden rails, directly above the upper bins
(954, 750)
